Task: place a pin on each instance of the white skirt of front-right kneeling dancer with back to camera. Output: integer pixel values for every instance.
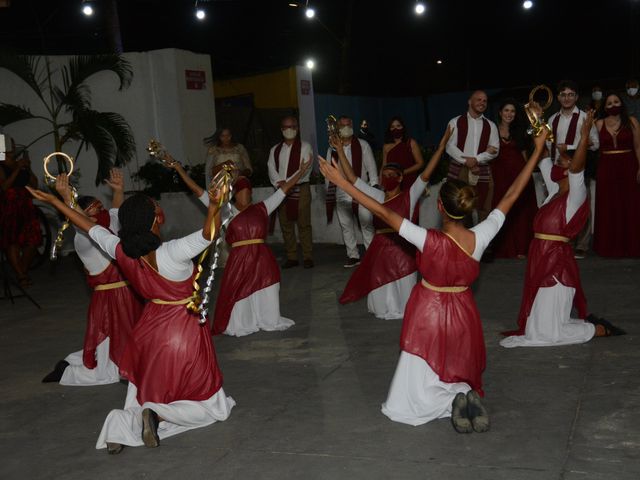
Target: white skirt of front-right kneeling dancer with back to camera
(417, 395)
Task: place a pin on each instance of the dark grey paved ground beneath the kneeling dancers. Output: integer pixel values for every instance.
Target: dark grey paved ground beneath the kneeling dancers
(309, 398)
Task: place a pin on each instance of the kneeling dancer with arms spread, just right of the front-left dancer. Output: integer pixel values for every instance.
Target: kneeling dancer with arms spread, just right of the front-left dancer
(249, 298)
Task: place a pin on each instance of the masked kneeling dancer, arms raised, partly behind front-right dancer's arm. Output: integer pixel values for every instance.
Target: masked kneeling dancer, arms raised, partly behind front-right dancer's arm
(388, 270)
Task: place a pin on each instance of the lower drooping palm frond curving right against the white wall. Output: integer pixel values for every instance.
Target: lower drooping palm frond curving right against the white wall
(108, 134)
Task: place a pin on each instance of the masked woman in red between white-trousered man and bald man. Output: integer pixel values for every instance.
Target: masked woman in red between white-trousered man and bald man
(400, 148)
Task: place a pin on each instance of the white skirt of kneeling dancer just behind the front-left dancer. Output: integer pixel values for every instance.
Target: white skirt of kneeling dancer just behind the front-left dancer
(258, 311)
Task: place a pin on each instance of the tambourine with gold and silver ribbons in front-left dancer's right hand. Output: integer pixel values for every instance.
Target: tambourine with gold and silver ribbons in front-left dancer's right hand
(222, 181)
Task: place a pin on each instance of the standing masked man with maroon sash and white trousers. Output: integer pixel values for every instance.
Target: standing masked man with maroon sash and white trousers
(360, 156)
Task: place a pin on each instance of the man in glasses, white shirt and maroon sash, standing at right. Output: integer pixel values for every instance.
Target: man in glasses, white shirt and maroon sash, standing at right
(566, 125)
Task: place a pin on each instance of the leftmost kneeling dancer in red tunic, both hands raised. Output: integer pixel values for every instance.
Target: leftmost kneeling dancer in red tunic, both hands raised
(114, 308)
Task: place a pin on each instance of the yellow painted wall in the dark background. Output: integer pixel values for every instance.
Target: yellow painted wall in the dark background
(270, 90)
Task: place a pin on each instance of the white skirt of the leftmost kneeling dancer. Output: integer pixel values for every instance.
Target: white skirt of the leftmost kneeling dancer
(76, 374)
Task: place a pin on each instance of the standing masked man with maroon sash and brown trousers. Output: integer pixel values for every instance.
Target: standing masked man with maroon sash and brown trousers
(284, 161)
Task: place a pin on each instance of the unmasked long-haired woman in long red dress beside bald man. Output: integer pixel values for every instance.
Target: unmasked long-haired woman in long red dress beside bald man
(513, 239)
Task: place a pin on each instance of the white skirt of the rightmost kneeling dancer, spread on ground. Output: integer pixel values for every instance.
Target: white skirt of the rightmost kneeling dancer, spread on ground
(550, 323)
